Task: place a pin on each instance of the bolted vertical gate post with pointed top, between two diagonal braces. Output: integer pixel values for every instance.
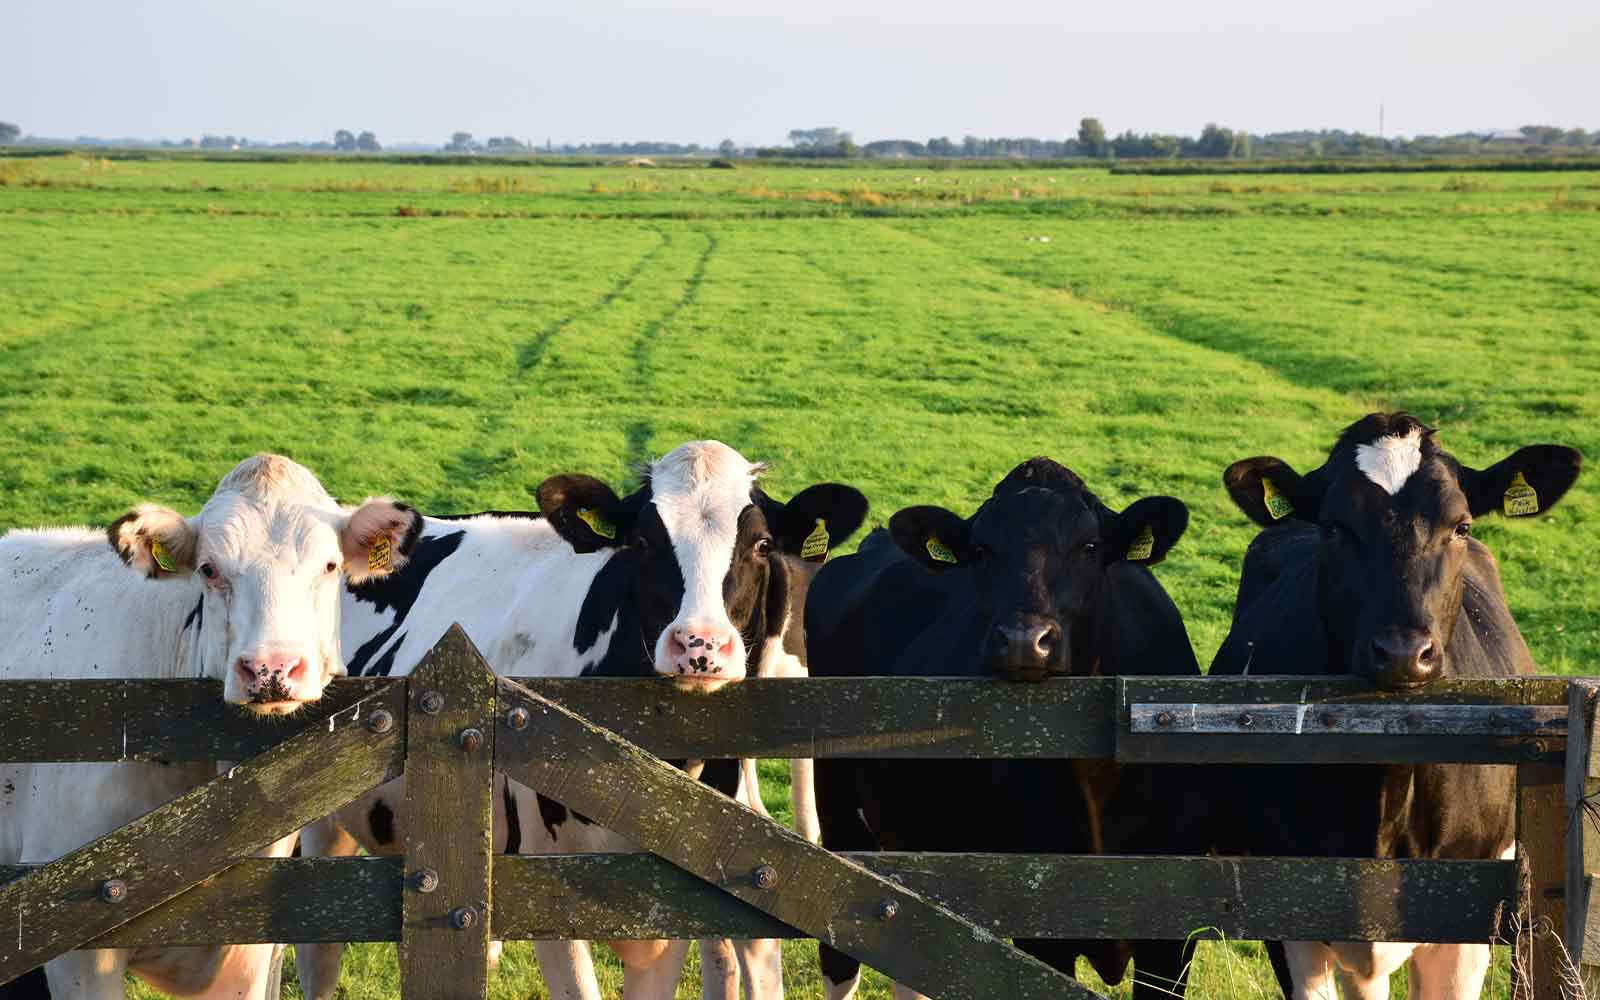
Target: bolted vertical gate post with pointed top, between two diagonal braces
(449, 823)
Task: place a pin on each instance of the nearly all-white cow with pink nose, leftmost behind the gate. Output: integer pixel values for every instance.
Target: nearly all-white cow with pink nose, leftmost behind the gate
(246, 593)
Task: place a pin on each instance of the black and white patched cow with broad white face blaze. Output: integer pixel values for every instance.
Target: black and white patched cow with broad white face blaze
(690, 578)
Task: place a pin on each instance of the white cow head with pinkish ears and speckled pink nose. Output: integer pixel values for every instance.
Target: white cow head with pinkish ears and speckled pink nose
(268, 554)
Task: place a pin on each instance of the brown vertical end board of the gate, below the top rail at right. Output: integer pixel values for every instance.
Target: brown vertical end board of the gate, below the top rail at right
(1542, 839)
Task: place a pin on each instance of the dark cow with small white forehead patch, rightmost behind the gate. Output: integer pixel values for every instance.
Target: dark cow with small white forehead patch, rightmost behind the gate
(1367, 566)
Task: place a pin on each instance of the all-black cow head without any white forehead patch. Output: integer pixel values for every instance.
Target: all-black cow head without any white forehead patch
(1038, 551)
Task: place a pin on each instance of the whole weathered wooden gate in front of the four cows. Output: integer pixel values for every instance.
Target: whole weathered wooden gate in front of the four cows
(937, 922)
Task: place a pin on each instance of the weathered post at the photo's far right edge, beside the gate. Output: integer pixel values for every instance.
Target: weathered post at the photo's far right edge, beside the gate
(1583, 833)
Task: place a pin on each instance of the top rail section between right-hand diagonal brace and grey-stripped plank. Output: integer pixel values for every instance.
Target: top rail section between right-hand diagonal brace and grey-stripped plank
(849, 718)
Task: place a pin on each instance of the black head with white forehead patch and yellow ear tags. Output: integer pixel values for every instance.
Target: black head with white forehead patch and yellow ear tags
(1396, 518)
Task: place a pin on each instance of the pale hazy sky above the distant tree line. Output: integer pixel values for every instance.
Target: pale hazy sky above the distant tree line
(703, 71)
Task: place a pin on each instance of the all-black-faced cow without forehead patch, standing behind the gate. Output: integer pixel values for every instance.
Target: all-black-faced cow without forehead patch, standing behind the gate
(1042, 582)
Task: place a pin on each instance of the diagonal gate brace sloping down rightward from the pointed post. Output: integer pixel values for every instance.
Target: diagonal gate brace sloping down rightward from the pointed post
(658, 807)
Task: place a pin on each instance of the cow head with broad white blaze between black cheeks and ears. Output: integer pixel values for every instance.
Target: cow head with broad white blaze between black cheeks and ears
(706, 548)
